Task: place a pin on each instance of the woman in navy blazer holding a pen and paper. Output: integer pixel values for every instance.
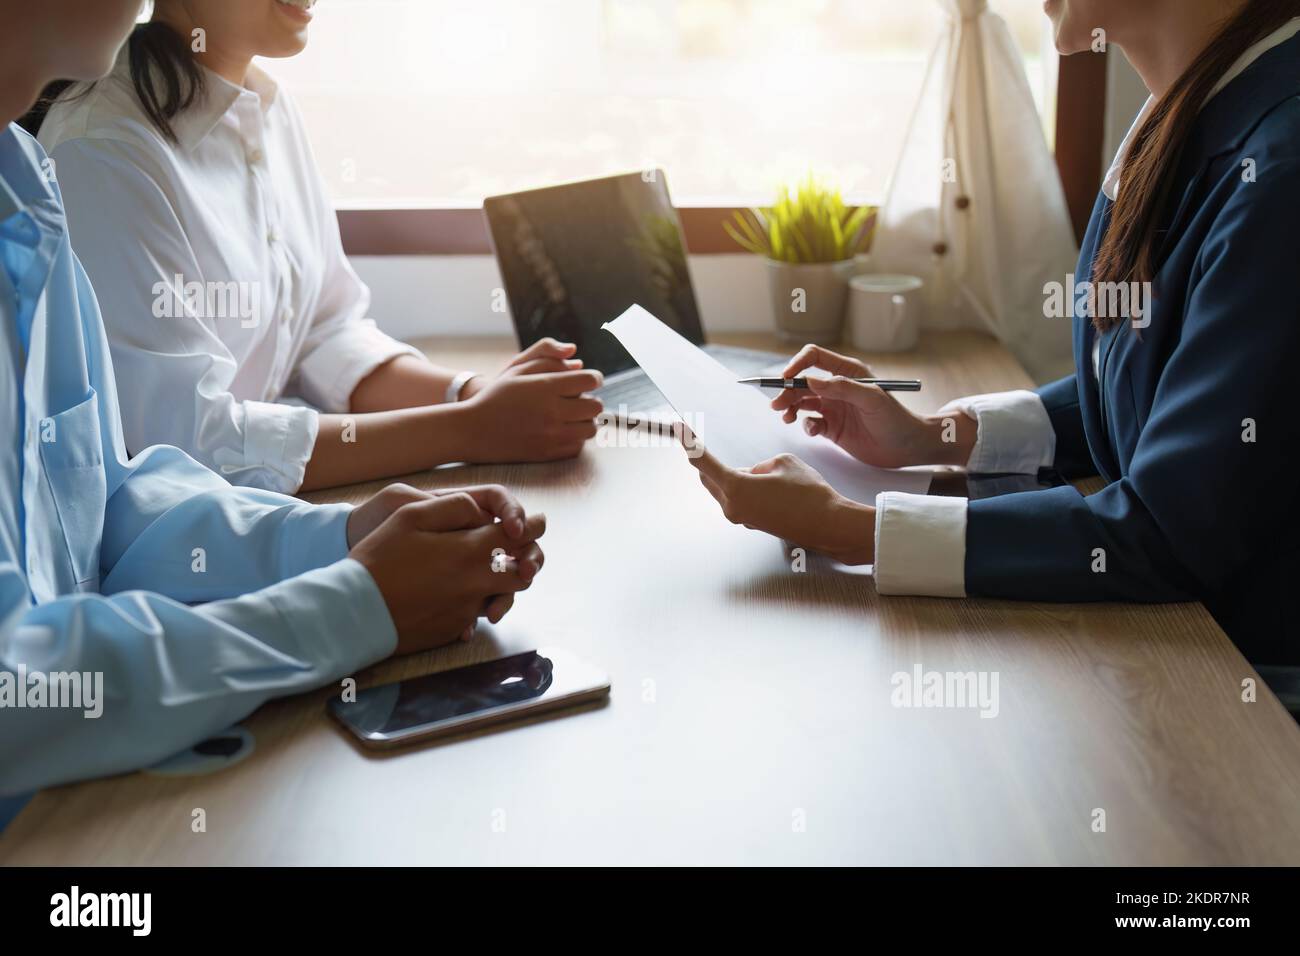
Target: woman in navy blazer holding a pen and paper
(1178, 403)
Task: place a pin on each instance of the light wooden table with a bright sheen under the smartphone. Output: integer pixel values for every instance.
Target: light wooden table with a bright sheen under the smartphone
(751, 720)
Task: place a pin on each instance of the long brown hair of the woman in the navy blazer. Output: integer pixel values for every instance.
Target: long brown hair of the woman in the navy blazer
(1129, 249)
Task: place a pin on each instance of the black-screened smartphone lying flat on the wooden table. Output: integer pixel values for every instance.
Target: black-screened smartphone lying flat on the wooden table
(465, 699)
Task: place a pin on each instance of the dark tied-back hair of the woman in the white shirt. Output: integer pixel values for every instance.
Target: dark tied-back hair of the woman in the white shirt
(164, 73)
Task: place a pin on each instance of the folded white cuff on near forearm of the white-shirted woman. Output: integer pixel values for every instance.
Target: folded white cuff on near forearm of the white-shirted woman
(278, 443)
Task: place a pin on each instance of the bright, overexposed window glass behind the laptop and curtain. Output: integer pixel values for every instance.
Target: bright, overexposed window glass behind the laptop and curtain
(441, 103)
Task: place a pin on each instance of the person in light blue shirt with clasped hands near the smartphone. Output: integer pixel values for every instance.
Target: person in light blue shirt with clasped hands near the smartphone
(146, 604)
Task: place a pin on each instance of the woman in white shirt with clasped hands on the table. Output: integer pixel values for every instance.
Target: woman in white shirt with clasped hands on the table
(198, 213)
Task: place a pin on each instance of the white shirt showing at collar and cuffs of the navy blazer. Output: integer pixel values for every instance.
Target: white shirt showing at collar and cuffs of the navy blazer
(921, 540)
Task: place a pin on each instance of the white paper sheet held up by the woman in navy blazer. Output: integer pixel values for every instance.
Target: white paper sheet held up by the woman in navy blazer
(735, 422)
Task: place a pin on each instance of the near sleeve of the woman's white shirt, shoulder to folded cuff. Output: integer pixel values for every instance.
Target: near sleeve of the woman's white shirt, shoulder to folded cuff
(175, 374)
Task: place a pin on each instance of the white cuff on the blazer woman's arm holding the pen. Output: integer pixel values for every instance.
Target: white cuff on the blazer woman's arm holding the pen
(1015, 436)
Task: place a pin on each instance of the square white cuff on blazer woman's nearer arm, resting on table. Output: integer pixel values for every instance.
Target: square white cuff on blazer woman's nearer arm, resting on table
(921, 546)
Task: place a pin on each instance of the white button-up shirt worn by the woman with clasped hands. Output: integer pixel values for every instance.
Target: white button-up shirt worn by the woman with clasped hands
(236, 211)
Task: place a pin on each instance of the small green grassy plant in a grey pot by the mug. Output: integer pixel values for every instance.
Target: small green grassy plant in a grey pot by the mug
(809, 239)
